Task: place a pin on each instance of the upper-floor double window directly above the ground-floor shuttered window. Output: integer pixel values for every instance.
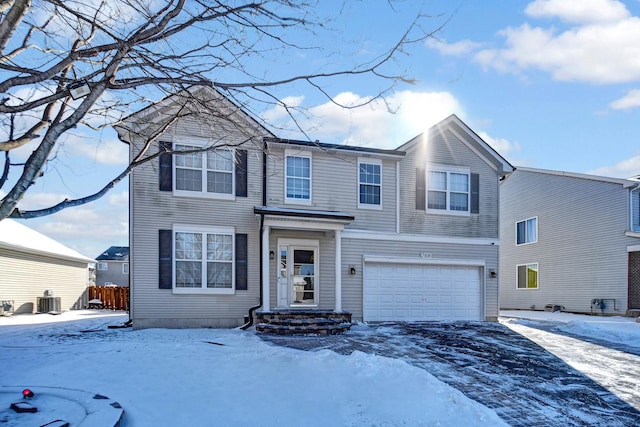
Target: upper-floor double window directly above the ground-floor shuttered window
(204, 172)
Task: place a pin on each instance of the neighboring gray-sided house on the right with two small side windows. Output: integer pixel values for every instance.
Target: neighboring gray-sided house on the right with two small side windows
(569, 240)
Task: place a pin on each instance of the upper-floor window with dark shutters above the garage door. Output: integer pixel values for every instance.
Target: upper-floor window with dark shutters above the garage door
(448, 190)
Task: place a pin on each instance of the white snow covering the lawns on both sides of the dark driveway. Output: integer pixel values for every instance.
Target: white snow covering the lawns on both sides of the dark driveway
(203, 377)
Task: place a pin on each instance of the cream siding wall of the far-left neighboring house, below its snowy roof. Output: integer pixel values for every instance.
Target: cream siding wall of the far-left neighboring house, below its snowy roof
(24, 277)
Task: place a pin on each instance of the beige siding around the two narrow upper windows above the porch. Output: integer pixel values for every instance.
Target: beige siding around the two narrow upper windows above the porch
(334, 184)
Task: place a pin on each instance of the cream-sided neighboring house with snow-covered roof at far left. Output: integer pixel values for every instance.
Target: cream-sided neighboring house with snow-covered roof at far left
(38, 274)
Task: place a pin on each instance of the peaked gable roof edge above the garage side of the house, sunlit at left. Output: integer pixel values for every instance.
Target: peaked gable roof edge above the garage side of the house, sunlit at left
(468, 137)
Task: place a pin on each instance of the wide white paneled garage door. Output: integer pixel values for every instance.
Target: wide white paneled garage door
(408, 292)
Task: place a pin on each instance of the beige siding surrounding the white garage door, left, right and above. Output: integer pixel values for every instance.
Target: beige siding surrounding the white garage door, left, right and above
(353, 251)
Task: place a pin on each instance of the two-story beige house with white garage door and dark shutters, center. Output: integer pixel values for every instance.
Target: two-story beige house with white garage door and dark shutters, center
(274, 224)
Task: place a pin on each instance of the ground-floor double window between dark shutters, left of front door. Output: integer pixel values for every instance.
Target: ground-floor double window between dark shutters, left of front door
(204, 260)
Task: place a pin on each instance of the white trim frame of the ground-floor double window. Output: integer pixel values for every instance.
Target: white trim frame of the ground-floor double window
(178, 228)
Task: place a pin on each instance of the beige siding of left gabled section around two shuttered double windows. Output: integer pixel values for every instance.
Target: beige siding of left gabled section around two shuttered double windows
(153, 210)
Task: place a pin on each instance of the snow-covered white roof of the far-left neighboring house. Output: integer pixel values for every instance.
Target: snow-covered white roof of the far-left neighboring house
(18, 237)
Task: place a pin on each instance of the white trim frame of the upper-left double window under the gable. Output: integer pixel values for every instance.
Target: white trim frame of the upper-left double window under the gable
(198, 143)
